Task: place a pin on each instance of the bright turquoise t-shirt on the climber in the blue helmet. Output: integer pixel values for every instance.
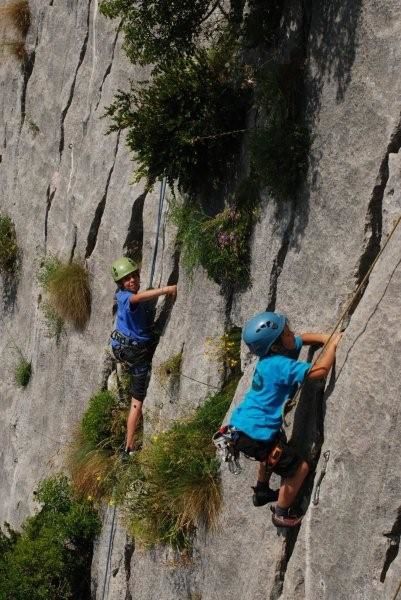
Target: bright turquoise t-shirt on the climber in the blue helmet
(275, 379)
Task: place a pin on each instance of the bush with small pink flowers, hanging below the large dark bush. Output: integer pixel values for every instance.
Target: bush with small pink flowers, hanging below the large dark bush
(219, 243)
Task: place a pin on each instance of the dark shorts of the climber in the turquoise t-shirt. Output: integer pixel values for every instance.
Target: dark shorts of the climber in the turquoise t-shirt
(289, 460)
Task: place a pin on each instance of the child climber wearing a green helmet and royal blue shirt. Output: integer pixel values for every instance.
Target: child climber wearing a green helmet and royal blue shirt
(133, 342)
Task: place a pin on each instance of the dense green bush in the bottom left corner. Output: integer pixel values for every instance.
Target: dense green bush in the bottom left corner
(51, 557)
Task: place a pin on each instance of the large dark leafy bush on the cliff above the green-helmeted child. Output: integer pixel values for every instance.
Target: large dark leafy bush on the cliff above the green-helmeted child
(175, 123)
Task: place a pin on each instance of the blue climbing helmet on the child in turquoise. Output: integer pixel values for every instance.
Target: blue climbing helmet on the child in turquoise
(260, 332)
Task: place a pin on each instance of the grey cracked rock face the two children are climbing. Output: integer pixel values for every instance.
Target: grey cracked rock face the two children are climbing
(67, 188)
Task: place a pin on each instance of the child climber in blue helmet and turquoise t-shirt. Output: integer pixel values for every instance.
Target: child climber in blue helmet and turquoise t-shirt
(257, 420)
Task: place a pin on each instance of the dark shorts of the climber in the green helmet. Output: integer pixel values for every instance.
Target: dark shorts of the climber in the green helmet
(139, 365)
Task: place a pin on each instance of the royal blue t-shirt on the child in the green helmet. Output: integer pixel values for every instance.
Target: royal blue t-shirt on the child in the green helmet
(132, 320)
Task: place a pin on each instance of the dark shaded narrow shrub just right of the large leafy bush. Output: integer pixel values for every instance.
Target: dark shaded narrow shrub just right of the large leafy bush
(279, 149)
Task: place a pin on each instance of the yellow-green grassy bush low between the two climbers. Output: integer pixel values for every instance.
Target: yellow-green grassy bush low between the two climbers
(173, 485)
